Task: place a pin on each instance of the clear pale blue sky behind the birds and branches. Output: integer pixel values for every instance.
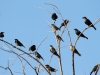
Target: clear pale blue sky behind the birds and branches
(22, 20)
